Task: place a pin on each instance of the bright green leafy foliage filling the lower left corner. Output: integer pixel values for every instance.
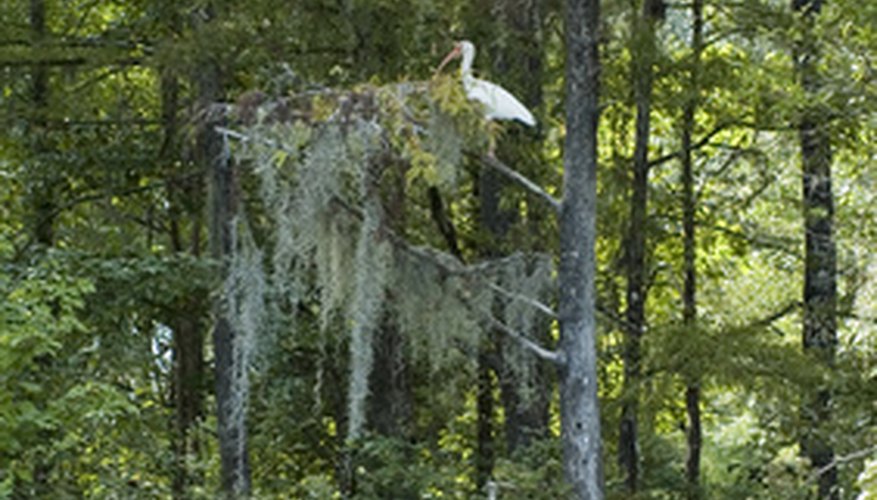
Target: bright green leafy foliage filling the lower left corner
(62, 426)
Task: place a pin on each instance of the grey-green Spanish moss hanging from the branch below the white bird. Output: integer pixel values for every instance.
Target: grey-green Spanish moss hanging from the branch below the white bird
(327, 165)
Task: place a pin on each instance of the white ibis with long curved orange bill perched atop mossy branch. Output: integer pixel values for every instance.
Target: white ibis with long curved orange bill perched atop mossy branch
(498, 102)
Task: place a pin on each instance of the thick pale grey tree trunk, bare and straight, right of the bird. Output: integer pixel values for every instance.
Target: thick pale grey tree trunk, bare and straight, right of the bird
(579, 406)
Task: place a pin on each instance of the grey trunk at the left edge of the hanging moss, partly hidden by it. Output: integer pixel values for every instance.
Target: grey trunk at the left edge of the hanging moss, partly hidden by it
(212, 157)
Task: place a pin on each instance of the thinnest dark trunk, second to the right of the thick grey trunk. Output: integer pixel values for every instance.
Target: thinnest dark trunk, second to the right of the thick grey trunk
(689, 293)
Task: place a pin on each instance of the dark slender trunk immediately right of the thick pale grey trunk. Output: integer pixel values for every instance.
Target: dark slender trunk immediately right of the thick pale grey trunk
(643, 48)
